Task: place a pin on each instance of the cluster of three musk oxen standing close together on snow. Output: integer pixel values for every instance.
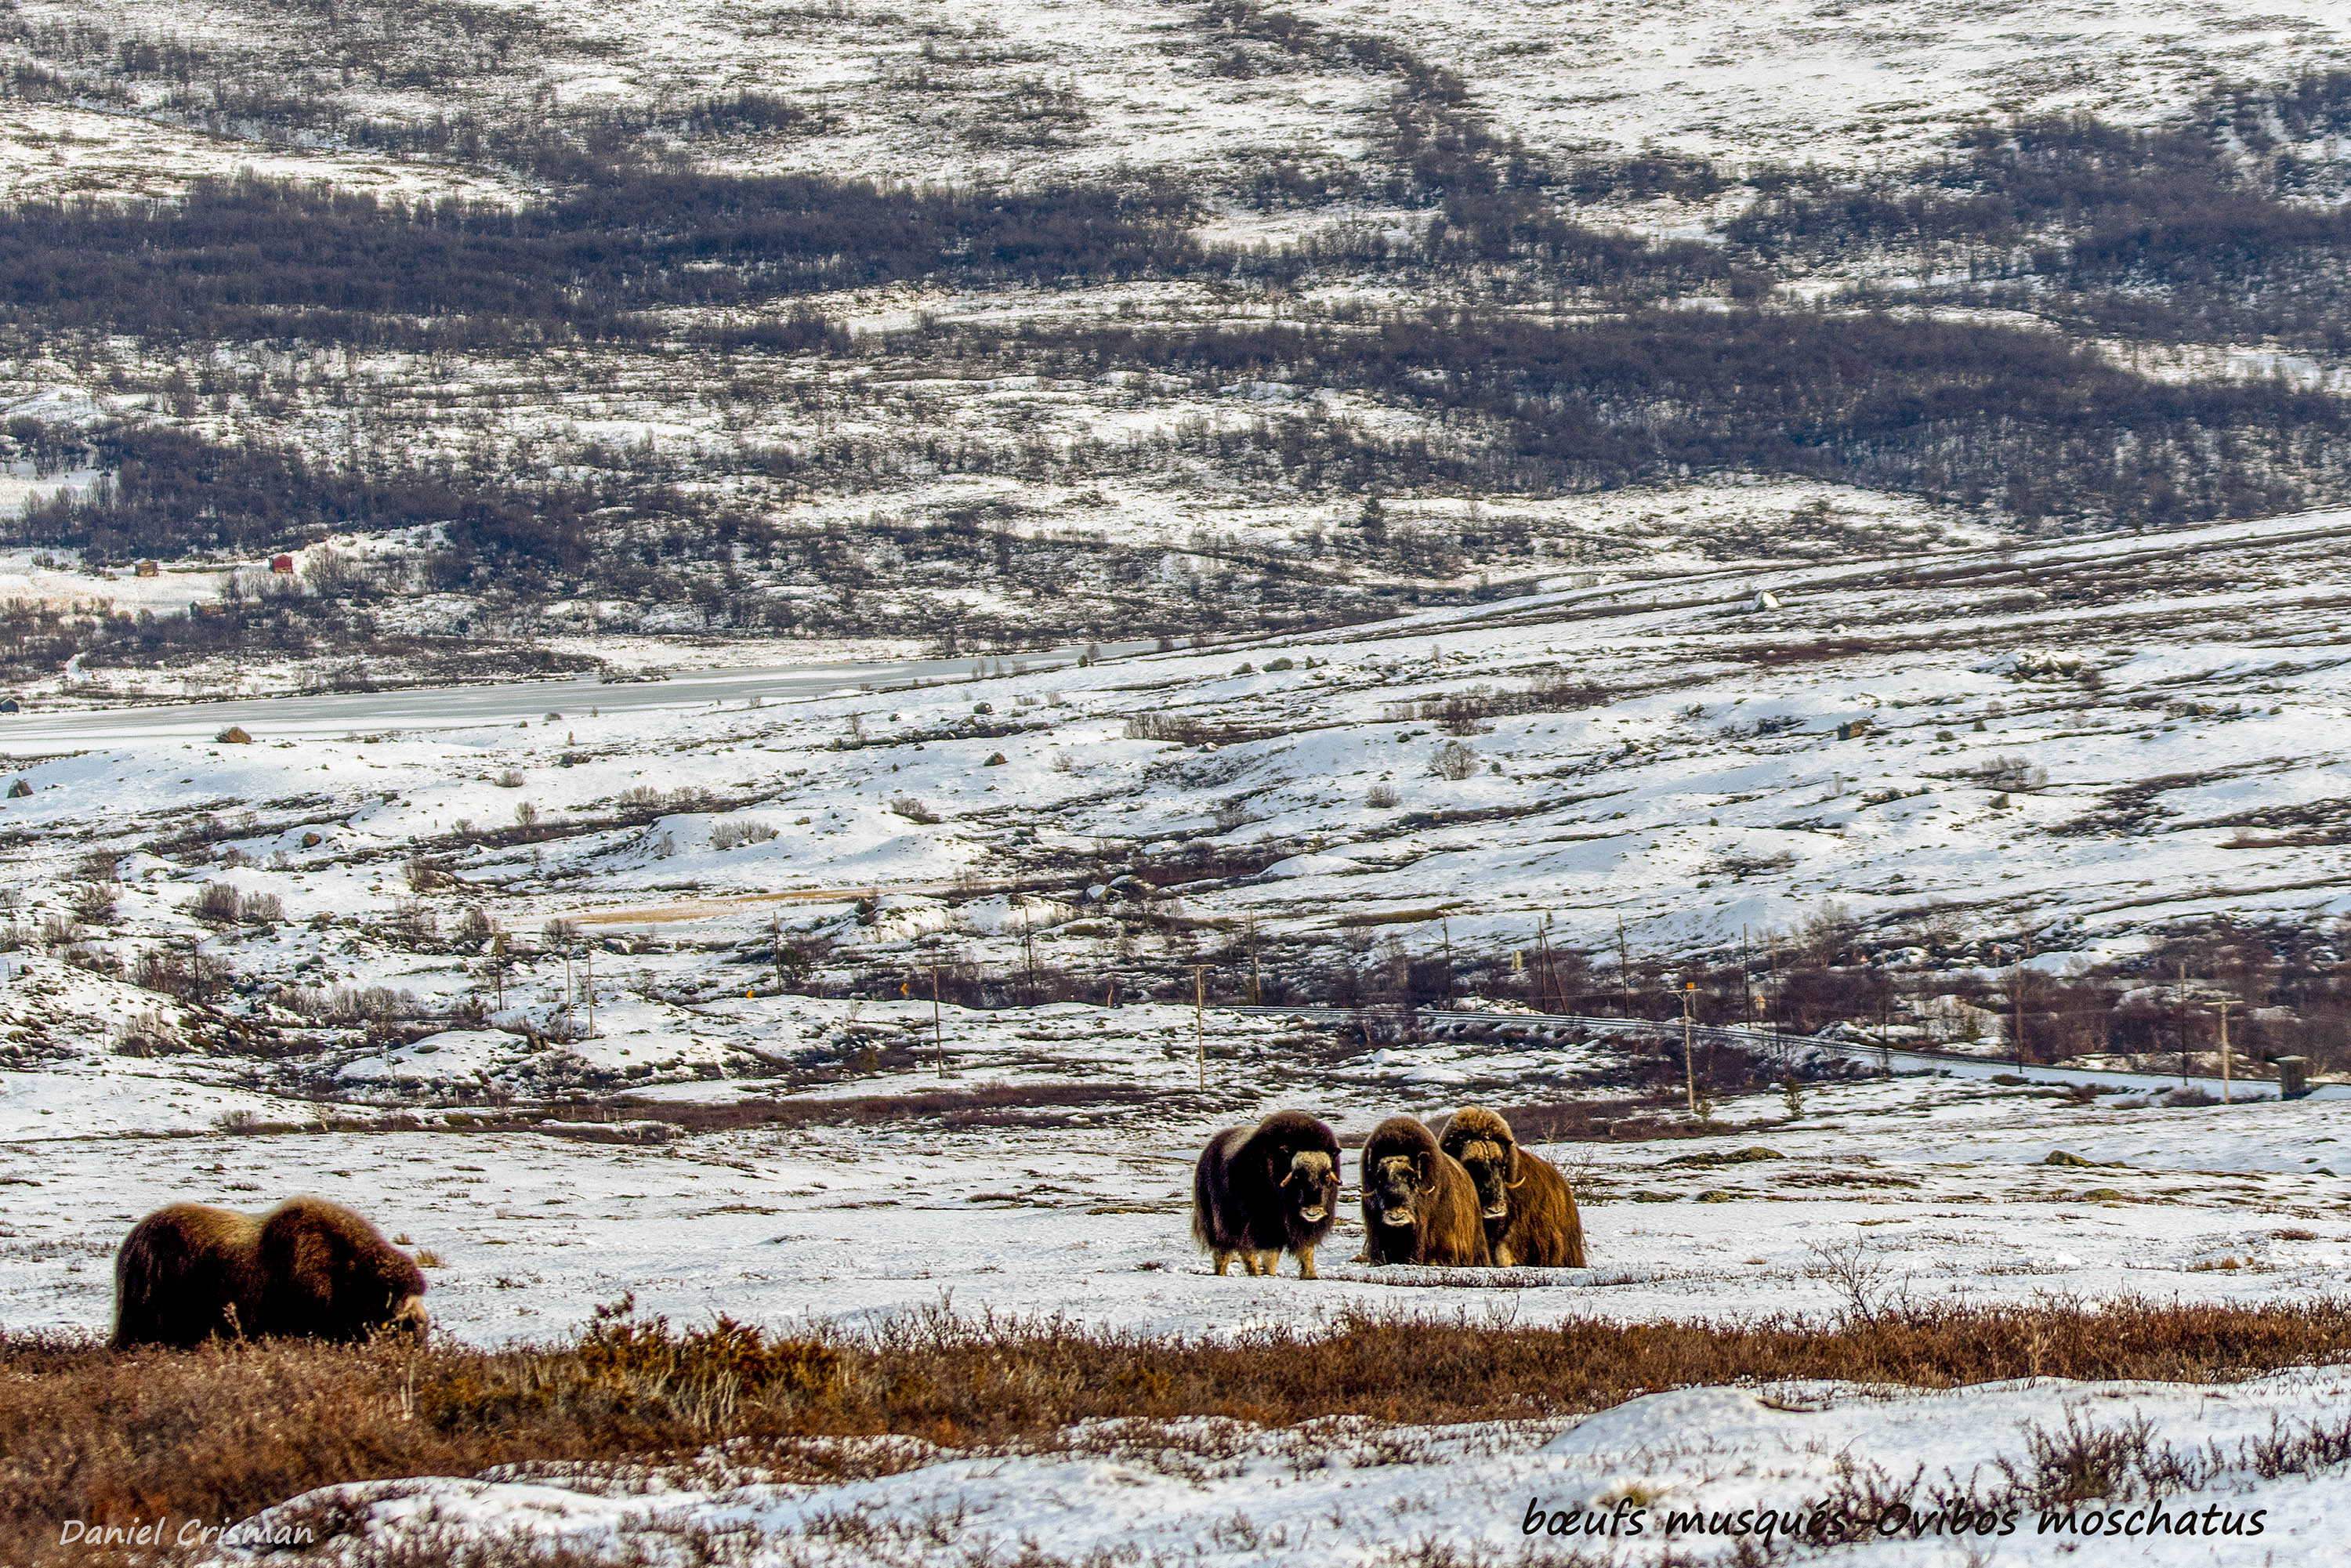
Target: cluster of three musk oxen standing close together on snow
(1463, 1195)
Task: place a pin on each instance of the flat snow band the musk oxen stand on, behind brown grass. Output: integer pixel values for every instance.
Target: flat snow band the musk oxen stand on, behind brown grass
(1920, 1188)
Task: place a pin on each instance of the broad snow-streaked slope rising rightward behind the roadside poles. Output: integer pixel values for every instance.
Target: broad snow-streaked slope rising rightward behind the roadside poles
(2089, 735)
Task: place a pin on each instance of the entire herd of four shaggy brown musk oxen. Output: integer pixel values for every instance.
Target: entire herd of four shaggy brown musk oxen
(1463, 1195)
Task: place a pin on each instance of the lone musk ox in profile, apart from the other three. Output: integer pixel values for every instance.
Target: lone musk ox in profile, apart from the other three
(302, 1271)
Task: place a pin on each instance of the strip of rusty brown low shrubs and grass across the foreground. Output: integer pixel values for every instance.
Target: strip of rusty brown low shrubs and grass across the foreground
(227, 1430)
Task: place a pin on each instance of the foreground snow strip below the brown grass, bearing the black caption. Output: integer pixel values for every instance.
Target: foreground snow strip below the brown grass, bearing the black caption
(1889, 1475)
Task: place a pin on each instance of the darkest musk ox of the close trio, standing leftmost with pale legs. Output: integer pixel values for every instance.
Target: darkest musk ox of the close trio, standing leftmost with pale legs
(1266, 1191)
